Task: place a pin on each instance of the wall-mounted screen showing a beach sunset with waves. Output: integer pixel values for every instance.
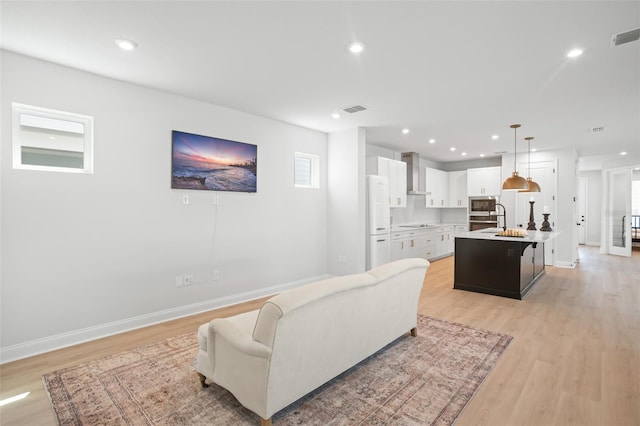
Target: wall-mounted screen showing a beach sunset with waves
(208, 163)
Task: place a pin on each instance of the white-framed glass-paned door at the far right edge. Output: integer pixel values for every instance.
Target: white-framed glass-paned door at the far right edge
(619, 212)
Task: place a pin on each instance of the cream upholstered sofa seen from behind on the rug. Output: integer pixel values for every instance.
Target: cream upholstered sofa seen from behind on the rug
(304, 337)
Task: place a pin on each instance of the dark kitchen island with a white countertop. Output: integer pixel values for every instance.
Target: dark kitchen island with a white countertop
(499, 265)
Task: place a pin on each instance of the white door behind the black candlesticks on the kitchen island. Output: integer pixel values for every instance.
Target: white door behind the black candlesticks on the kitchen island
(543, 173)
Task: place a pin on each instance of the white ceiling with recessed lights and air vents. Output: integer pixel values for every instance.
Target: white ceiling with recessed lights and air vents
(457, 72)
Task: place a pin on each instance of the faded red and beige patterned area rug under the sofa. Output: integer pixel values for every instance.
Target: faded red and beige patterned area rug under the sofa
(426, 380)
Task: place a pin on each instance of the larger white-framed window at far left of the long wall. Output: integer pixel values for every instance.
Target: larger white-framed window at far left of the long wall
(46, 139)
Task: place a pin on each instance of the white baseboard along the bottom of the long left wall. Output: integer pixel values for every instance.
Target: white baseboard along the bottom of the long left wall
(63, 340)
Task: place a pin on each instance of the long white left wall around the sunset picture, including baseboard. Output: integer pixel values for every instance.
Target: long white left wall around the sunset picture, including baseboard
(90, 255)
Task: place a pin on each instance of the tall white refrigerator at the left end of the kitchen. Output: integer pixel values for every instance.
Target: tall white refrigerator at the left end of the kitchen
(378, 221)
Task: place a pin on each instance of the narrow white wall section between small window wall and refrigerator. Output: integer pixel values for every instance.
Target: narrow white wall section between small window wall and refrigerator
(346, 202)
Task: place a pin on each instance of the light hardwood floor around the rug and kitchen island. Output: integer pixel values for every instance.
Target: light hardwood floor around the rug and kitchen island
(574, 359)
